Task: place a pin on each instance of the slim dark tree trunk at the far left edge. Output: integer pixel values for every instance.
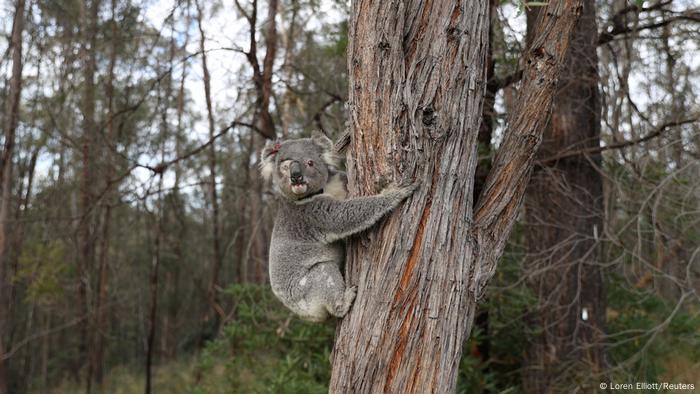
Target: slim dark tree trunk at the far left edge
(10, 128)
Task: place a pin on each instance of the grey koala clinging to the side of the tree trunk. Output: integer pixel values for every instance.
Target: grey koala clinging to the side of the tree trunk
(307, 249)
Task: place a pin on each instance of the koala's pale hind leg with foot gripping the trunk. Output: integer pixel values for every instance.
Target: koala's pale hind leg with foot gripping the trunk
(331, 290)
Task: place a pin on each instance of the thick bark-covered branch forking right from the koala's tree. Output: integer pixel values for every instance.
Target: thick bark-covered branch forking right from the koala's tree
(496, 209)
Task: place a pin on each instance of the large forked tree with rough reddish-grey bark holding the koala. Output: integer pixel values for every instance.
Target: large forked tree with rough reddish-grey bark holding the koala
(417, 80)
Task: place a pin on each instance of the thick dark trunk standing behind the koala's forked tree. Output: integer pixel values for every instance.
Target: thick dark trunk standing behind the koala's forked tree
(564, 215)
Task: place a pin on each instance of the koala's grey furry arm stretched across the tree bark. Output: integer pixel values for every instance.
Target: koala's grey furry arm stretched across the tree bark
(338, 219)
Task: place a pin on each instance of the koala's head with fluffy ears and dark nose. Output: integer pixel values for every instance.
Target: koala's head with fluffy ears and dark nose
(300, 167)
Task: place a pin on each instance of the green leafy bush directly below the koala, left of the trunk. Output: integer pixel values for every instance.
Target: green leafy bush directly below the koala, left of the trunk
(265, 349)
